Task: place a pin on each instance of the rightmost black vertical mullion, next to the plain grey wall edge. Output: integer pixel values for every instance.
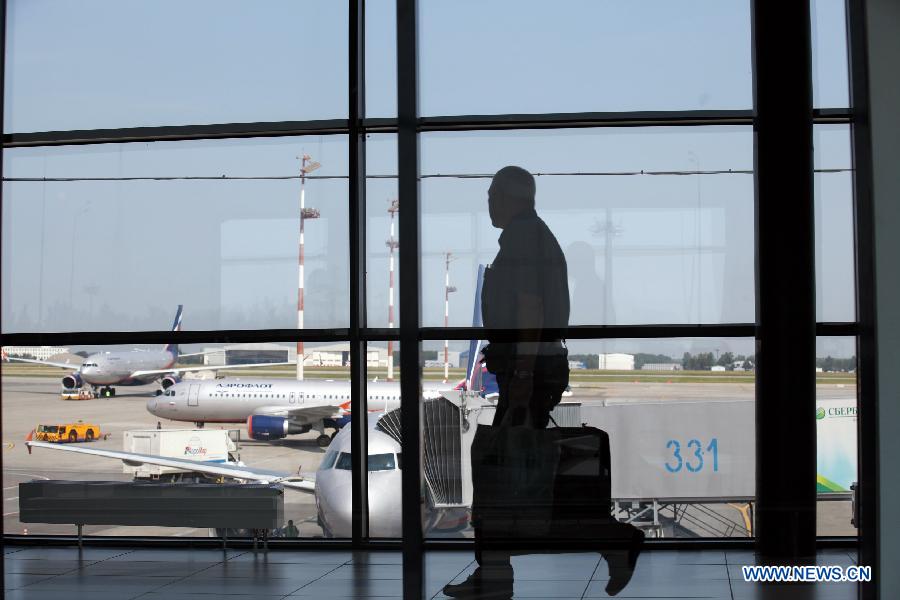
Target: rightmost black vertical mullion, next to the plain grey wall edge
(868, 463)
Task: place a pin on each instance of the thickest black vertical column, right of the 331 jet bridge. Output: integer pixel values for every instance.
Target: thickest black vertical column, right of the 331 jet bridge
(785, 281)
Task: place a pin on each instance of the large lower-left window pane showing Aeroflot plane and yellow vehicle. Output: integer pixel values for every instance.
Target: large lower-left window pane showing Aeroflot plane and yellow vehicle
(222, 387)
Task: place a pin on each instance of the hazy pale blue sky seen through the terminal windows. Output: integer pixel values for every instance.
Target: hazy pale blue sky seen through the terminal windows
(121, 255)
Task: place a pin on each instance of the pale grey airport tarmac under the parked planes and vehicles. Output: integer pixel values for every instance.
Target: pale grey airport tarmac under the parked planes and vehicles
(29, 401)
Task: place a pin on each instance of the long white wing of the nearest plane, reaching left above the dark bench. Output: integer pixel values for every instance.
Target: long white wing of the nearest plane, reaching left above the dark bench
(222, 469)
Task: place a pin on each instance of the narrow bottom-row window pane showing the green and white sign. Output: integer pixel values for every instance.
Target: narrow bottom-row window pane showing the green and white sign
(836, 434)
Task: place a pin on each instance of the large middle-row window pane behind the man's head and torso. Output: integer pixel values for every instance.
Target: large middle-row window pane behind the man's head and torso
(656, 225)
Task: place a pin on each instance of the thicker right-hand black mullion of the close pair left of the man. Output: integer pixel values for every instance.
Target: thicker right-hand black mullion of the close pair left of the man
(410, 300)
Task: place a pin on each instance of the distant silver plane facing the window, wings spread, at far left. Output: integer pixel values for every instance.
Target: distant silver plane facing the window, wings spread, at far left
(133, 367)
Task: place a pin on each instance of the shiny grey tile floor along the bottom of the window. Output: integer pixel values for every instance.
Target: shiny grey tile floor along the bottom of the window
(35, 573)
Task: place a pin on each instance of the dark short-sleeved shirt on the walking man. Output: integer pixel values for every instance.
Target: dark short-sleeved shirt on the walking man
(529, 261)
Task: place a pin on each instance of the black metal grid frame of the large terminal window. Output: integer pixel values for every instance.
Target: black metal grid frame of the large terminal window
(407, 126)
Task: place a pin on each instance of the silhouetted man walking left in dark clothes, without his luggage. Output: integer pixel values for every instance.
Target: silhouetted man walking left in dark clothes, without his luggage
(526, 290)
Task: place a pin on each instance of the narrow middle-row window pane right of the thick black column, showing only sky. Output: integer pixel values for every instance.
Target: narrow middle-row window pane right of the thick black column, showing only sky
(835, 255)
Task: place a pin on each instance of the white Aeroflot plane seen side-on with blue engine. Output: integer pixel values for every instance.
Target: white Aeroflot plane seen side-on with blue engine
(274, 408)
